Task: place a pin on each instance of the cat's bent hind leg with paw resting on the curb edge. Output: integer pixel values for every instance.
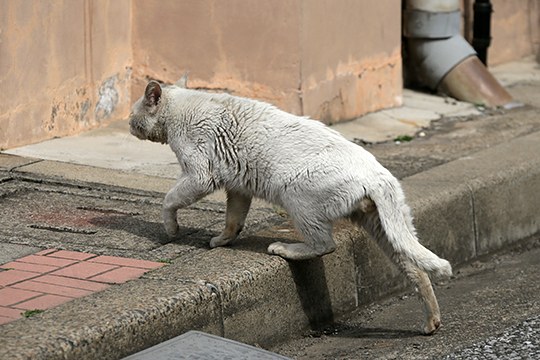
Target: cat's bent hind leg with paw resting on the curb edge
(317, 242)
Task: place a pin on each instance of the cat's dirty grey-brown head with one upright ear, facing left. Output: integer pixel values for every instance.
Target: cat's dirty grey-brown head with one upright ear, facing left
(146, 121)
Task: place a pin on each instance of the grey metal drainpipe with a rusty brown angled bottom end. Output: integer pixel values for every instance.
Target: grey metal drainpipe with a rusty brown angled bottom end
(442, 59)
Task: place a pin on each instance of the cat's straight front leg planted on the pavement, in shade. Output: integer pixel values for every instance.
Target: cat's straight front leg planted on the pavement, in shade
(237, 209)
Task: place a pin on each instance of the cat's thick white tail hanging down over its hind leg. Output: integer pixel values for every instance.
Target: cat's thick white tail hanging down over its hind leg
(397, 232)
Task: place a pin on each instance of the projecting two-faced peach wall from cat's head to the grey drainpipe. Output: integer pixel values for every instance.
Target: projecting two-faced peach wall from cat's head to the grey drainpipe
(332, 60)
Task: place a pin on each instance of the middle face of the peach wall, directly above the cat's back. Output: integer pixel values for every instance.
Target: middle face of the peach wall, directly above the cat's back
(247, 47)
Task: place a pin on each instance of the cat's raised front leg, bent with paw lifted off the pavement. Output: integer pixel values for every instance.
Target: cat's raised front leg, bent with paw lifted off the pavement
(186, 191)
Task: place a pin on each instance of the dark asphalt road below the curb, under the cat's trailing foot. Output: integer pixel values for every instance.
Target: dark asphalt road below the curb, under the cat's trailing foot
(490, 310)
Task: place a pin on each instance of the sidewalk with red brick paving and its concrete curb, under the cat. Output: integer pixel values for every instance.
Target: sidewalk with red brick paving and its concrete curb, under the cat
(472, 178)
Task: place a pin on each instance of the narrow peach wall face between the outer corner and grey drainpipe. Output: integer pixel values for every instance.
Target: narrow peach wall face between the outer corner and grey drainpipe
(351, 57)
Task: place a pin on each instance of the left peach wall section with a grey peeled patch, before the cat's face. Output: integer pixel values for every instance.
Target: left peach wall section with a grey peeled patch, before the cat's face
(63, 67)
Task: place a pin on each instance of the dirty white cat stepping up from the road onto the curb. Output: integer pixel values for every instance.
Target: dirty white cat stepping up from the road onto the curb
(251, 148)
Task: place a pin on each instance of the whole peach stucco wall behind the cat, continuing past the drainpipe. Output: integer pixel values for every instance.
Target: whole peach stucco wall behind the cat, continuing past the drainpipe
(66, 65)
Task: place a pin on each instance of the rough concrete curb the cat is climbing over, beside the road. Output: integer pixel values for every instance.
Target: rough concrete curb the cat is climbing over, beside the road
(463, 209)
